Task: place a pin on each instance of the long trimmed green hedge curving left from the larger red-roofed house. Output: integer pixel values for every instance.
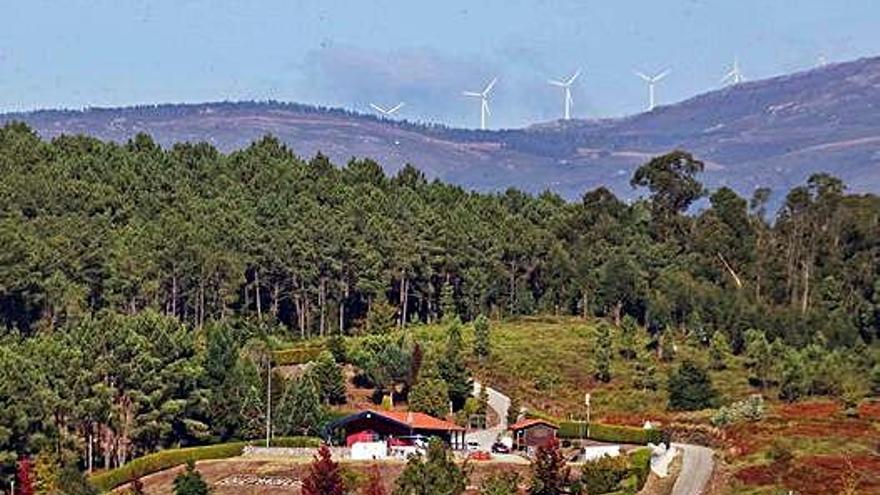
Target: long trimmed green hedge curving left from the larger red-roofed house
(166, 459)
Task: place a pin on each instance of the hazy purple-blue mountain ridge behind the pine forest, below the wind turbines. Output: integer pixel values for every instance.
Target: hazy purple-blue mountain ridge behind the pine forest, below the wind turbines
(773, 132)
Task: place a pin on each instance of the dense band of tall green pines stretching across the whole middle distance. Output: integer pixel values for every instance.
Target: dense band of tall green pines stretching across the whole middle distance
(201, 236)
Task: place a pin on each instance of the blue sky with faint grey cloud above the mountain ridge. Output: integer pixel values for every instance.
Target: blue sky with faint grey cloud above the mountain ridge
(76, 53)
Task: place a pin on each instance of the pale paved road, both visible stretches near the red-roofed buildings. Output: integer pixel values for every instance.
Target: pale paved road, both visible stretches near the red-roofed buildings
(697, 462)
